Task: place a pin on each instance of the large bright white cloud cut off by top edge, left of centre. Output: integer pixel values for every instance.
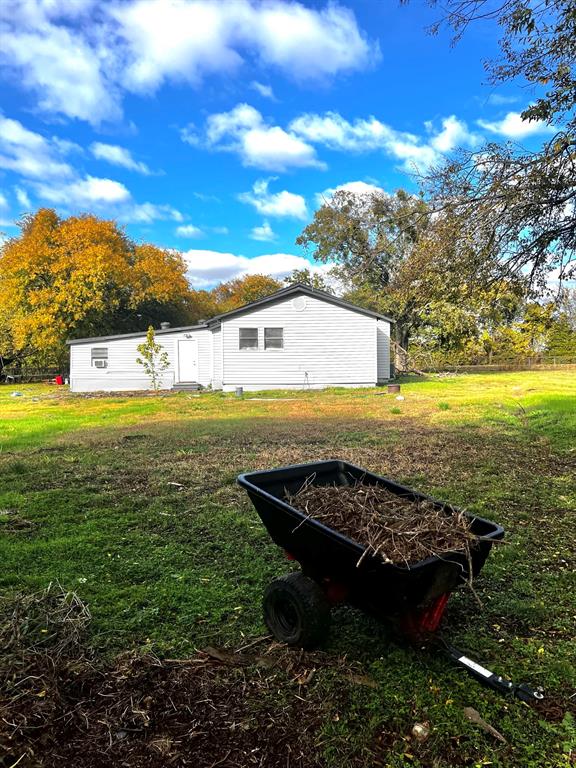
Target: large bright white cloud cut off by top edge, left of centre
(188, 39)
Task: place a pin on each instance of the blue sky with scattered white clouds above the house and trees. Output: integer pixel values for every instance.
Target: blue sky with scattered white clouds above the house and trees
(216, 127)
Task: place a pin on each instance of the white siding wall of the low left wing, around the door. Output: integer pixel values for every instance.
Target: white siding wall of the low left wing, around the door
(123, 372)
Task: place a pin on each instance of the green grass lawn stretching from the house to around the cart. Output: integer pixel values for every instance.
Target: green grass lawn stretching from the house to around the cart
(131, 502)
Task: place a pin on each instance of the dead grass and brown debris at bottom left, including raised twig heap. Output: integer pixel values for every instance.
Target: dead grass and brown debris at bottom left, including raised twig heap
(59, 707)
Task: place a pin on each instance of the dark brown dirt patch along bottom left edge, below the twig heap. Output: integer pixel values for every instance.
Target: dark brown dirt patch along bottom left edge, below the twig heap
(199, 712)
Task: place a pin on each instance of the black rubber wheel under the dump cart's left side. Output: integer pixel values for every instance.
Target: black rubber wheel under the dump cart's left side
(296, 611)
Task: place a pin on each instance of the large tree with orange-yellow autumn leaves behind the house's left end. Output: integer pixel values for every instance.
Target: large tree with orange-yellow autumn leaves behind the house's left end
(82, 276)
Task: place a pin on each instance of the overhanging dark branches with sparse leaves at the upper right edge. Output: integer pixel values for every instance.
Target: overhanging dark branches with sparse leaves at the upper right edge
(527, 199)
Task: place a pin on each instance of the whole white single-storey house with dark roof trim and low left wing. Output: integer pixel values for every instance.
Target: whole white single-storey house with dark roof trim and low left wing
(294, 339)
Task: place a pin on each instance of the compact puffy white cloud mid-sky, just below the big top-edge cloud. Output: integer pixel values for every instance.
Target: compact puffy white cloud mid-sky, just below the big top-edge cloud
(243, 130)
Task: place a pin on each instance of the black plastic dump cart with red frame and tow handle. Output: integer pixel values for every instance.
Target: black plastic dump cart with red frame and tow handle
(335, 569)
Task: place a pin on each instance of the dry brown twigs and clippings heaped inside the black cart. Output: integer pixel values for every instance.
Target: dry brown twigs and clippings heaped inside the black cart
(397, 529)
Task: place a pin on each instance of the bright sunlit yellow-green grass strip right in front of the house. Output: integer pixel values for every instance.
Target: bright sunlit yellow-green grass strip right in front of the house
(544, 399)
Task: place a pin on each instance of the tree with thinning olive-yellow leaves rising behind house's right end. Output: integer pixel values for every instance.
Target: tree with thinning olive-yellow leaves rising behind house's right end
(396, 258)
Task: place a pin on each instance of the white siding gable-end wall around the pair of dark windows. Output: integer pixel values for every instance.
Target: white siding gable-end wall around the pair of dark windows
(324, 345)
